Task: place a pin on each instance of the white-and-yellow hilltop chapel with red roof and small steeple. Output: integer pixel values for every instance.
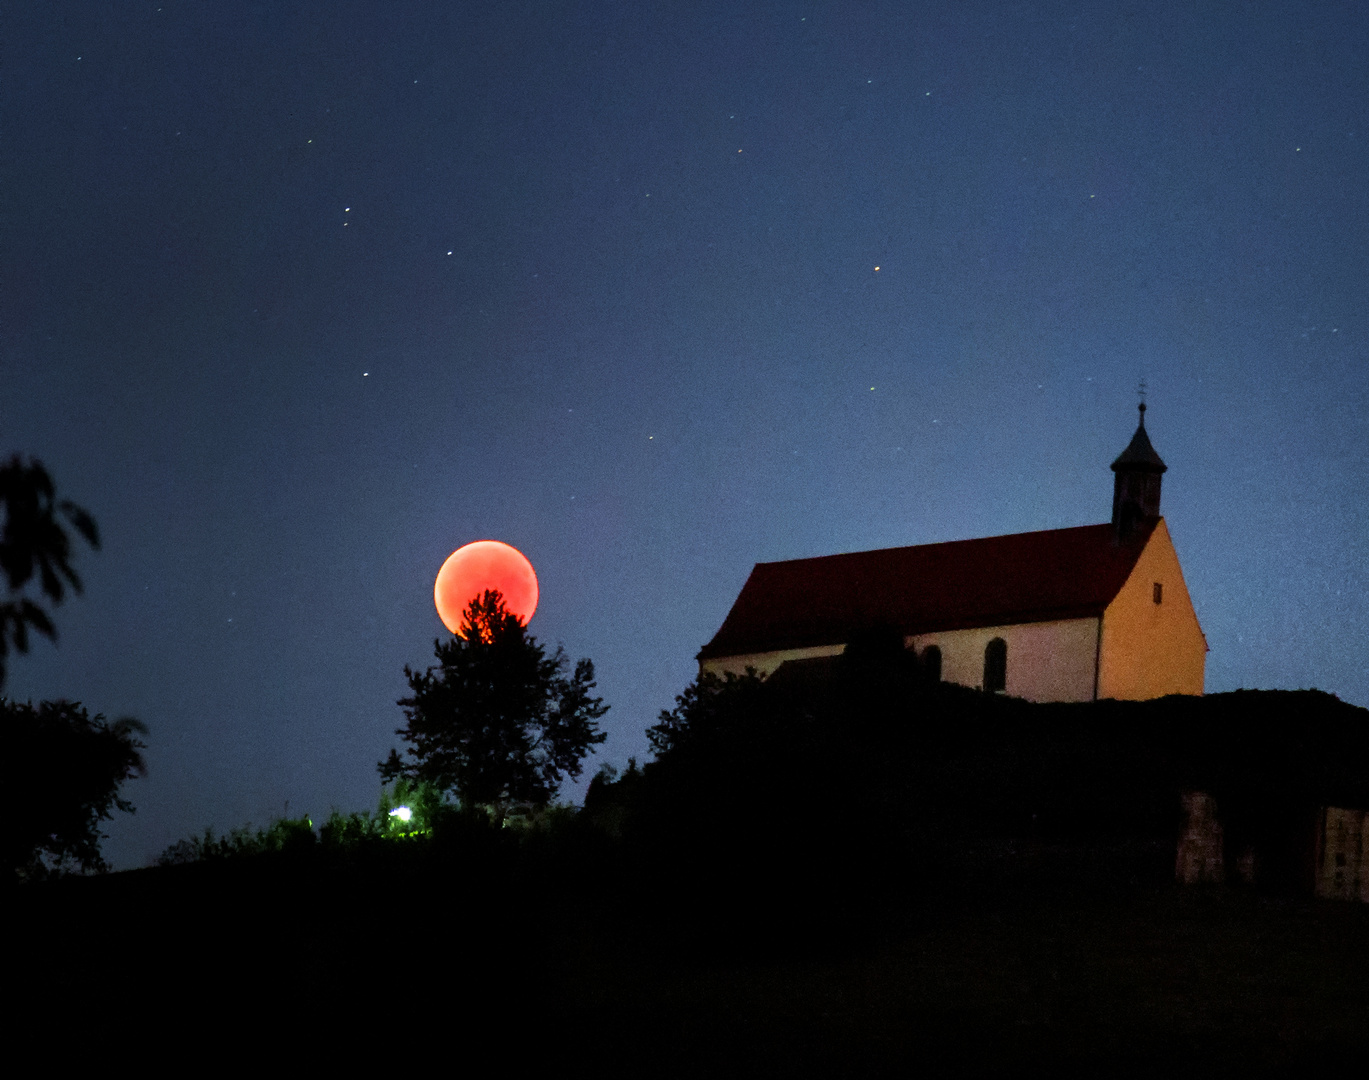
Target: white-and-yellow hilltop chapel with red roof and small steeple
(1060, 615)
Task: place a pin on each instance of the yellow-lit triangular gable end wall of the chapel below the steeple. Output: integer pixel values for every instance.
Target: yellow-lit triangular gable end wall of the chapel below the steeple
(1152, 650)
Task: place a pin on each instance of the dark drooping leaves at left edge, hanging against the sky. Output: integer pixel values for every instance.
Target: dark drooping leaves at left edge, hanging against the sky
(35, 543)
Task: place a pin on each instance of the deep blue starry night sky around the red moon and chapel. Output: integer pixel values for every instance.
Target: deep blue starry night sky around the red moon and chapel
(298, 299)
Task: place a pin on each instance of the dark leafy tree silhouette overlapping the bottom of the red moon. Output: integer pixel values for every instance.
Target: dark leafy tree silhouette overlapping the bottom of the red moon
(498, 722)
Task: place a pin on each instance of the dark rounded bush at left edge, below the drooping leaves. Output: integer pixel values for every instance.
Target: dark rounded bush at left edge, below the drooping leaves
(73, 767)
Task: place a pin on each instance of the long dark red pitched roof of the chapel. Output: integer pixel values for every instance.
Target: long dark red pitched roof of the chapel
(999, 581)
